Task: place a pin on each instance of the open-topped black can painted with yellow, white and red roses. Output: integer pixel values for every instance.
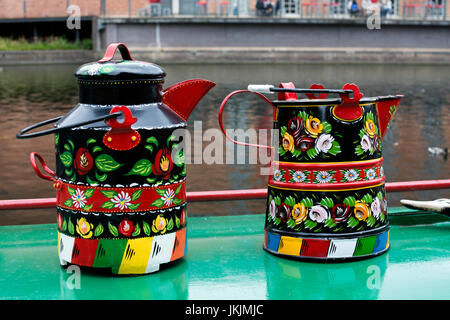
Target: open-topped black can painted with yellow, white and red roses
(326, 197)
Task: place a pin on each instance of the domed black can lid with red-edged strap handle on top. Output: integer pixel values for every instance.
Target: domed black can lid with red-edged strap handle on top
(125, 69)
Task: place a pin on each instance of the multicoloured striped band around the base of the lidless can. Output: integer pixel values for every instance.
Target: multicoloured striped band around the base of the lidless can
(326, 248)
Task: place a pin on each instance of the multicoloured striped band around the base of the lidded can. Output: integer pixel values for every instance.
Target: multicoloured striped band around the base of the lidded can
(123, 256)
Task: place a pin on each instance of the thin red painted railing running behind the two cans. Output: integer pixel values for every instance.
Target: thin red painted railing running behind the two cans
(224, 195)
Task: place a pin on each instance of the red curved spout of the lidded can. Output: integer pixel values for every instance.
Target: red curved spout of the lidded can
(183, 97)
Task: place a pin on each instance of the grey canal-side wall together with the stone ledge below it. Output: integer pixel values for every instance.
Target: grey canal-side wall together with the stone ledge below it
(258, 40)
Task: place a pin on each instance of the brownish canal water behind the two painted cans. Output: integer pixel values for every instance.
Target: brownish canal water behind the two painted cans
(29, 94)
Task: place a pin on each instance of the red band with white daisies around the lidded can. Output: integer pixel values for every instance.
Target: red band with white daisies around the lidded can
(111, 200)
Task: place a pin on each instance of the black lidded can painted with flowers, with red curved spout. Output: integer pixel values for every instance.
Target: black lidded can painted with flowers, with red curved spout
(120, 177)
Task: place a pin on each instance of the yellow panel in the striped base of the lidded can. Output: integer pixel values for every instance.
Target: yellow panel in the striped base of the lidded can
(136, 255)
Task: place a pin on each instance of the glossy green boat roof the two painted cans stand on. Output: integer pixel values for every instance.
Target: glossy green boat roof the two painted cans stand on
(225, 260)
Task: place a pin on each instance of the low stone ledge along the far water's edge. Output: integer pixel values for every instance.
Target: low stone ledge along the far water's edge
(240, 55)
